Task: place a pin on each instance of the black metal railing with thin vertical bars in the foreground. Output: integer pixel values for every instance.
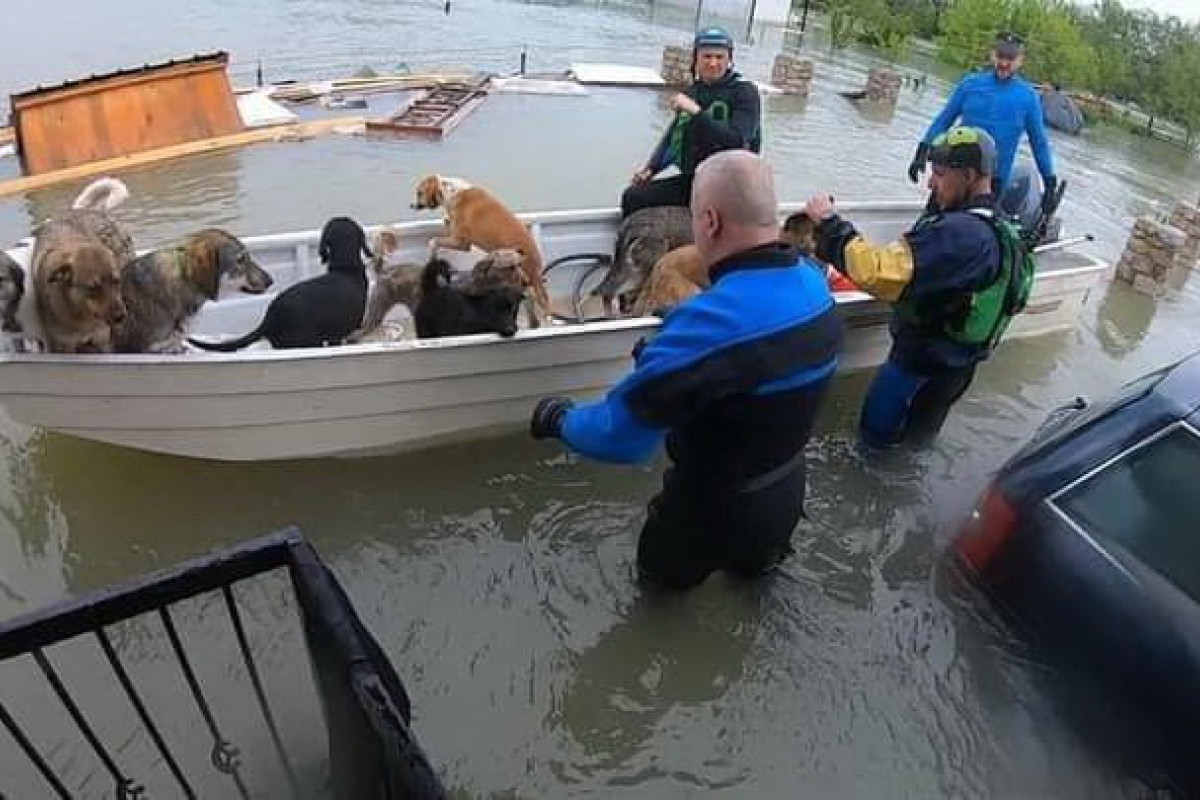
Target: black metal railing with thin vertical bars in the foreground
(373, 751)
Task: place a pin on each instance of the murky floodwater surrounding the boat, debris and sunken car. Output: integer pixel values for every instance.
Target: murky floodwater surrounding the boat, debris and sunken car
(499, 576)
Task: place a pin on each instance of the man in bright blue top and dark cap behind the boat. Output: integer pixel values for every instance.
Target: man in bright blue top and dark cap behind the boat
(1004, 105)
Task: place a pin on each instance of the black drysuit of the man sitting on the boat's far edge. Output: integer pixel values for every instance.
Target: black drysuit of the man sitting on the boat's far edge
(730, 119)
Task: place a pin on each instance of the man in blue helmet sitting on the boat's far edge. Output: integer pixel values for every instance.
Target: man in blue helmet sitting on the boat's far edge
(721, 111)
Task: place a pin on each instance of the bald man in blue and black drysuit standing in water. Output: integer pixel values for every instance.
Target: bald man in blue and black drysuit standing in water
(733, 383)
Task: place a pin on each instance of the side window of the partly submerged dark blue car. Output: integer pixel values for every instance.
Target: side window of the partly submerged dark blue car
(1149, 502)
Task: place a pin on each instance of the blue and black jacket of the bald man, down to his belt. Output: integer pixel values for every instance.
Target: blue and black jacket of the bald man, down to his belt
(722, 378)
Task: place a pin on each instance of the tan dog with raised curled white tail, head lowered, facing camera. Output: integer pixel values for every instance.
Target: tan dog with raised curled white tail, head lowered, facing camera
(76, 267)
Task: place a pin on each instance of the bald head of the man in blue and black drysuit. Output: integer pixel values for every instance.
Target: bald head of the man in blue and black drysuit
(734, 206)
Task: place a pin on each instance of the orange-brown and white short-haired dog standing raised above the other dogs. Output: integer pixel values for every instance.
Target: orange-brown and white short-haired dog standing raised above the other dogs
(473, 216)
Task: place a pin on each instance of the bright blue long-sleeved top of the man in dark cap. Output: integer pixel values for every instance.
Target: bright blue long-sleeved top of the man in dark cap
(1005, 110)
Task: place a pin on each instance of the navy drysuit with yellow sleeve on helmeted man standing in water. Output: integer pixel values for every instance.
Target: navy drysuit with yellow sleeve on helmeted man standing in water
(931, 274)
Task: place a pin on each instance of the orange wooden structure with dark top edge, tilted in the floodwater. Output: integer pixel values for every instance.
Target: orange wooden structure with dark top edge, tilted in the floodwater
(124, 113)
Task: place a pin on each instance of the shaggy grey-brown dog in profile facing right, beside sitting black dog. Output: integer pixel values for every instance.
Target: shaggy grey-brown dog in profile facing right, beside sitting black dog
(164, 290)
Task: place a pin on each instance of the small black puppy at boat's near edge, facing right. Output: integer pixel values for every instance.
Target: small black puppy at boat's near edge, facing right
(448, 310)
